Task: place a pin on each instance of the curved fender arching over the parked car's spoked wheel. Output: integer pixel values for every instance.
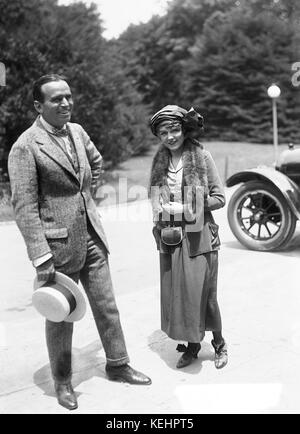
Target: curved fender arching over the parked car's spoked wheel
(281, 182)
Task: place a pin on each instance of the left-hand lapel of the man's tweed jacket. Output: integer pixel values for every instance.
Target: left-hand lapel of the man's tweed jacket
(52, 149)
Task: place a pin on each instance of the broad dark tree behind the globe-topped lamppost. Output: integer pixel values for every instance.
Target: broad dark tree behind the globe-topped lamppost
(233, 62)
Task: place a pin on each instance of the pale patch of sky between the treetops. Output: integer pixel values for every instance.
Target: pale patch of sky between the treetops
(117, 15)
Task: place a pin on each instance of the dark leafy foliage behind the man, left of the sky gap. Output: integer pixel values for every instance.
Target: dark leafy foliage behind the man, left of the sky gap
(39, 37)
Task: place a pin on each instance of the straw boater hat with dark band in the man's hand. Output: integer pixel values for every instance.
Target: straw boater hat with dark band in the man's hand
(60, 300)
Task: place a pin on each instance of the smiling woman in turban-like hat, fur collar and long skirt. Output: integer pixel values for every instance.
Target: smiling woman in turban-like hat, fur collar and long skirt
(185, 187)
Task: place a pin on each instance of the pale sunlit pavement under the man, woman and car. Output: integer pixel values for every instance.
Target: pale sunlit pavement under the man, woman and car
(259, 297)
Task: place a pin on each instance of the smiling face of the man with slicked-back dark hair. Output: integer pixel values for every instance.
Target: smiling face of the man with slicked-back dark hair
(57, 106)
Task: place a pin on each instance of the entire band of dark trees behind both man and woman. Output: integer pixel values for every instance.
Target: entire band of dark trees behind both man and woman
(219, 55)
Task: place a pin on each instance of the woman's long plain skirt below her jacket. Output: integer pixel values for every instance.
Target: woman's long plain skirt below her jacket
(189, 304)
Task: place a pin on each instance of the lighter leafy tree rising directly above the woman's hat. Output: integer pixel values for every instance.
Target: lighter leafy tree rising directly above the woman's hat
(157, 51)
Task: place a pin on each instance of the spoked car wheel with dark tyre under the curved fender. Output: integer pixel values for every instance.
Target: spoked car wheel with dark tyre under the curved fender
(260, 217)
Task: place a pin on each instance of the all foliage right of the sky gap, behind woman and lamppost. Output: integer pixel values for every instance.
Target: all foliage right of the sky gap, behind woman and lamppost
(221, 55)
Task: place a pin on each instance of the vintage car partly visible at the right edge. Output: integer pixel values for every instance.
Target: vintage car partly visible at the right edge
(264, 209)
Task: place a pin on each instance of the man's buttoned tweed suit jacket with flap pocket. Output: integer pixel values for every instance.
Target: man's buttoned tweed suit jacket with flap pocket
(52, 202)
